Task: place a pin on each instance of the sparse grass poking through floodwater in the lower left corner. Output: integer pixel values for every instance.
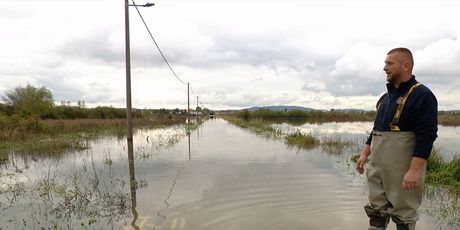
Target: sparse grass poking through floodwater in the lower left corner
(75, 199)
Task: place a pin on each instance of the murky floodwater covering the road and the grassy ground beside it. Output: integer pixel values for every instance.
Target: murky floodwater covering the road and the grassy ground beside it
(218, 177)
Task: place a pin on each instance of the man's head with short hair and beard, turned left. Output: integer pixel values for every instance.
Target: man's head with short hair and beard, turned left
(398, 65)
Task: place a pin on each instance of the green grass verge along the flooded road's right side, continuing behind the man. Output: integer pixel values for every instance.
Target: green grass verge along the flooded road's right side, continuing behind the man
(442, 178)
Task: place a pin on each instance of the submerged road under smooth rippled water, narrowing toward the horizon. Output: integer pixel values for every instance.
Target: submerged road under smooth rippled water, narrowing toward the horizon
(234, 179)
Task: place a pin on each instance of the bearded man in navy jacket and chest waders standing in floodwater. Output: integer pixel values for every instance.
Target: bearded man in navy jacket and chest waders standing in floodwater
(404, 131)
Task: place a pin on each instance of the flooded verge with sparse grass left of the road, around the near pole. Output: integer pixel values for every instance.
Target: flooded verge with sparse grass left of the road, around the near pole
(86, 189)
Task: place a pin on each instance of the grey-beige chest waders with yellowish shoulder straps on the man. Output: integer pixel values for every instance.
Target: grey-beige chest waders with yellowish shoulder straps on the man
(392, 153)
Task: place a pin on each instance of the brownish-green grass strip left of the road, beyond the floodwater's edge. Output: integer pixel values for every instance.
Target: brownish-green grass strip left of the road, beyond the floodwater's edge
(54, 137)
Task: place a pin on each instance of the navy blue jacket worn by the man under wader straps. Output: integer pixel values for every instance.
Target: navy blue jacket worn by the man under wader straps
(420, 115)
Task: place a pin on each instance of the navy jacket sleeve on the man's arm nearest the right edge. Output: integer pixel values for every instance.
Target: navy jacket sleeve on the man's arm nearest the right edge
(426, 124)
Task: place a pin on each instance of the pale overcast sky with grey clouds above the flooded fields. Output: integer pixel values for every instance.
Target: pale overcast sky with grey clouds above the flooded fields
(235, 54)
